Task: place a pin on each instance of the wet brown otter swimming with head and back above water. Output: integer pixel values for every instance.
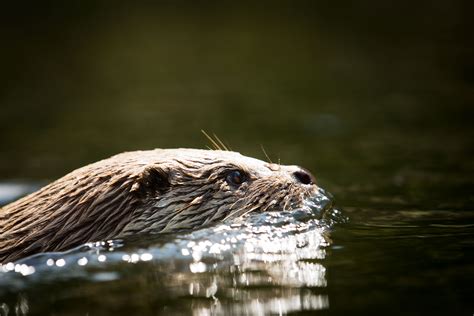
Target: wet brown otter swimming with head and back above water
(147, 192)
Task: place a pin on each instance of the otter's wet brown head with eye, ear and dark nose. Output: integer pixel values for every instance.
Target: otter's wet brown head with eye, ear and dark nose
(199, 187)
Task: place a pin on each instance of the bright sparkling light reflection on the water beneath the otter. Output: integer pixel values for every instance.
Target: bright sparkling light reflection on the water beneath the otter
(261, 264)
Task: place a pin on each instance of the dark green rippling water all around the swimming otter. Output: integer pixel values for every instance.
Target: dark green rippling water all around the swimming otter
(374, 98)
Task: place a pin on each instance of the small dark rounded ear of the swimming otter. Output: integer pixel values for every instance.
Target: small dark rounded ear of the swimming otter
(150, 181)
